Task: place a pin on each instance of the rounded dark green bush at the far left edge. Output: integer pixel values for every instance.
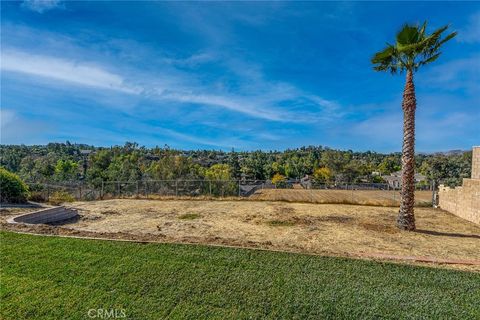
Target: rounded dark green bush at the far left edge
(12, 188)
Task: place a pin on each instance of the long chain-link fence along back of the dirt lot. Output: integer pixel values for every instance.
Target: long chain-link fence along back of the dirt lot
(293, 190)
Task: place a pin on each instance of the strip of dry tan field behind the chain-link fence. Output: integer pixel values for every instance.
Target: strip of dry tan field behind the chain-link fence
(369, 197)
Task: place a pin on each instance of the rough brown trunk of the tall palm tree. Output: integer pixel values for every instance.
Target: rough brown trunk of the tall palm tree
(406, 218)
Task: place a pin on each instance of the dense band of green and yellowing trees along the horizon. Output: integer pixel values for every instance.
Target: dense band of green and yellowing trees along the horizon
(67, 162)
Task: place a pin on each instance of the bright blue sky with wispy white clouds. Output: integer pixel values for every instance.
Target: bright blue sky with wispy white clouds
(252, 75)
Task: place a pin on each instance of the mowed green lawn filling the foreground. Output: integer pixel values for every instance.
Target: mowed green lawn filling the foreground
(59, 278)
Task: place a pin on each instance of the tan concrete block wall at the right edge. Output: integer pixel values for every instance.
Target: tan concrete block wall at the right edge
(464, 201)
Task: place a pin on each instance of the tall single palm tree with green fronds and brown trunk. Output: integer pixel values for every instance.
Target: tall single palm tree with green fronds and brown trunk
(413, 49)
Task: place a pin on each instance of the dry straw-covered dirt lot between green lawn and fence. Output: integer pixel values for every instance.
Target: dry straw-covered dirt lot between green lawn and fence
(313, 228)
